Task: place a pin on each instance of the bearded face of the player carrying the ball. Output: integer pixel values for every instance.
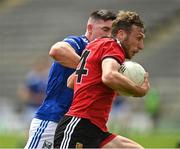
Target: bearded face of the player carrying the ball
(134, 41)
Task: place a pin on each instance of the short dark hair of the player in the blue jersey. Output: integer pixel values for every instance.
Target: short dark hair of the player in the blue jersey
(103, 14)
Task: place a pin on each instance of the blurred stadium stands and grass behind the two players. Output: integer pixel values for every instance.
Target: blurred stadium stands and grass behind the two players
(28, 28)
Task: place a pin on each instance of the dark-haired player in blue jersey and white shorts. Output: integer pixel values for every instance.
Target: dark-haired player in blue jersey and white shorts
(58, 96)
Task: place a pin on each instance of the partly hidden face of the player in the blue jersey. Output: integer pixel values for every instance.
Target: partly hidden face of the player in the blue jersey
(101, 28)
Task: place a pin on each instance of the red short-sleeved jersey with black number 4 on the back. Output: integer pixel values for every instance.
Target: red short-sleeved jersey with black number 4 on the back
(92, 98)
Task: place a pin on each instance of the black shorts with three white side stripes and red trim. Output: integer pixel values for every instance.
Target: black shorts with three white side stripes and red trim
(74, 132)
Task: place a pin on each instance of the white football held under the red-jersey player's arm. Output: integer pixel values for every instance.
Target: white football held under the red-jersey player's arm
(134, 71)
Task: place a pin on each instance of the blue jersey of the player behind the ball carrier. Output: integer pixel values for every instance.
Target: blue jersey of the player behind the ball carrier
(58, 96)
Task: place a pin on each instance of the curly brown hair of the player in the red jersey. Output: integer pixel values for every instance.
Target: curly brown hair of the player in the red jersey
(125, 20)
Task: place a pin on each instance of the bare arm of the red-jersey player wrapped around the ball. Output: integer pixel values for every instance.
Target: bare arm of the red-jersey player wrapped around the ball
(118, 82)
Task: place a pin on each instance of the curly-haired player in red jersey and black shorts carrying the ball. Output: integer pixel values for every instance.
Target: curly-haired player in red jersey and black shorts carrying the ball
(96, 81)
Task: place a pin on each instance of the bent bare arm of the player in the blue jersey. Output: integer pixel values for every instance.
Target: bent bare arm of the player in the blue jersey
(64, 54)
